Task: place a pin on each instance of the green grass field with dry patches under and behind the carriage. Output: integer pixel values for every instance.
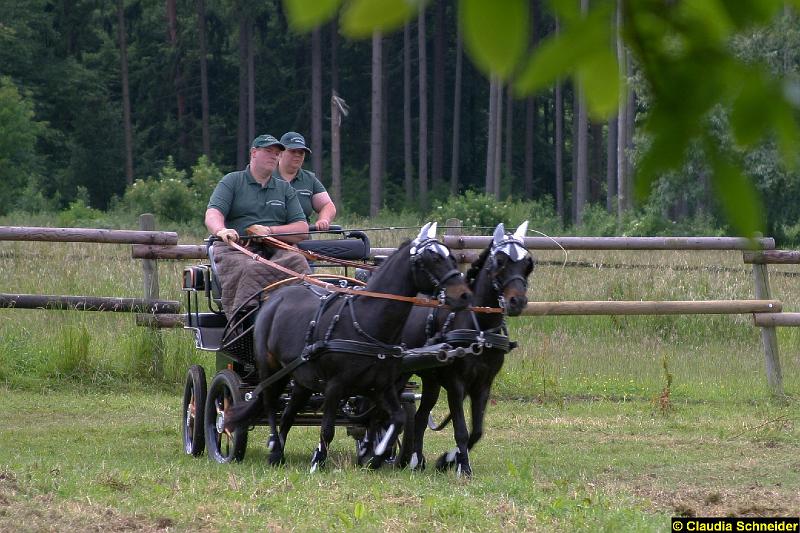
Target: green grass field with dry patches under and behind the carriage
(584, 431)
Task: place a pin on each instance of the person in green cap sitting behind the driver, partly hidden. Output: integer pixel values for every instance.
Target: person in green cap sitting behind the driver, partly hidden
(310, 191)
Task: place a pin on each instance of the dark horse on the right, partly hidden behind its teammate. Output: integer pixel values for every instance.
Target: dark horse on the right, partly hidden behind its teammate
(499, 277)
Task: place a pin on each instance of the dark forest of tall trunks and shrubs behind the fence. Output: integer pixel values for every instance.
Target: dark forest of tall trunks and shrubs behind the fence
(109, 109)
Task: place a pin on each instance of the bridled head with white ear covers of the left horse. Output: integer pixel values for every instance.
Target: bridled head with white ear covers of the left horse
(435, 271)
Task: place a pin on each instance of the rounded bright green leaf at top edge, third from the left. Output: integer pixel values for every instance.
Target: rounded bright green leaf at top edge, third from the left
(495, 33)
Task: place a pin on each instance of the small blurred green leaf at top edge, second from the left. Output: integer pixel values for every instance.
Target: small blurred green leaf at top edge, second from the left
(361, 18)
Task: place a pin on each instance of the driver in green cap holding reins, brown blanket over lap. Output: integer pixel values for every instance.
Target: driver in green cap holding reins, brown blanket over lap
(251, 201)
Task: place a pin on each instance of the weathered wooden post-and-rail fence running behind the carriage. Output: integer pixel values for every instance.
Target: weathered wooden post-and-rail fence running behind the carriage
(150, 245)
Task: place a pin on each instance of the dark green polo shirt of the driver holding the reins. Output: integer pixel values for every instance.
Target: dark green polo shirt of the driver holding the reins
(244, 202)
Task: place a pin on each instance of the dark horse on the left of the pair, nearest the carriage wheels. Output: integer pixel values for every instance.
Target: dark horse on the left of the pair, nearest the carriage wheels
(344, 345)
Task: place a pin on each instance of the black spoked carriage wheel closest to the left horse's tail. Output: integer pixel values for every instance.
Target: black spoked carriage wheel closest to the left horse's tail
(223, 446)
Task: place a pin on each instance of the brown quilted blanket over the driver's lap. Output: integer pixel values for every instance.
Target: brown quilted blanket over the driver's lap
(241, 277)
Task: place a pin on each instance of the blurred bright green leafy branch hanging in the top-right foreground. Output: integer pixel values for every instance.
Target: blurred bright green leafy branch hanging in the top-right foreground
(683, 54)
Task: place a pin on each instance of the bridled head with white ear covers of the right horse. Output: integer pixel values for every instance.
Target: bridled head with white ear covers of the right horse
(510, 264)
